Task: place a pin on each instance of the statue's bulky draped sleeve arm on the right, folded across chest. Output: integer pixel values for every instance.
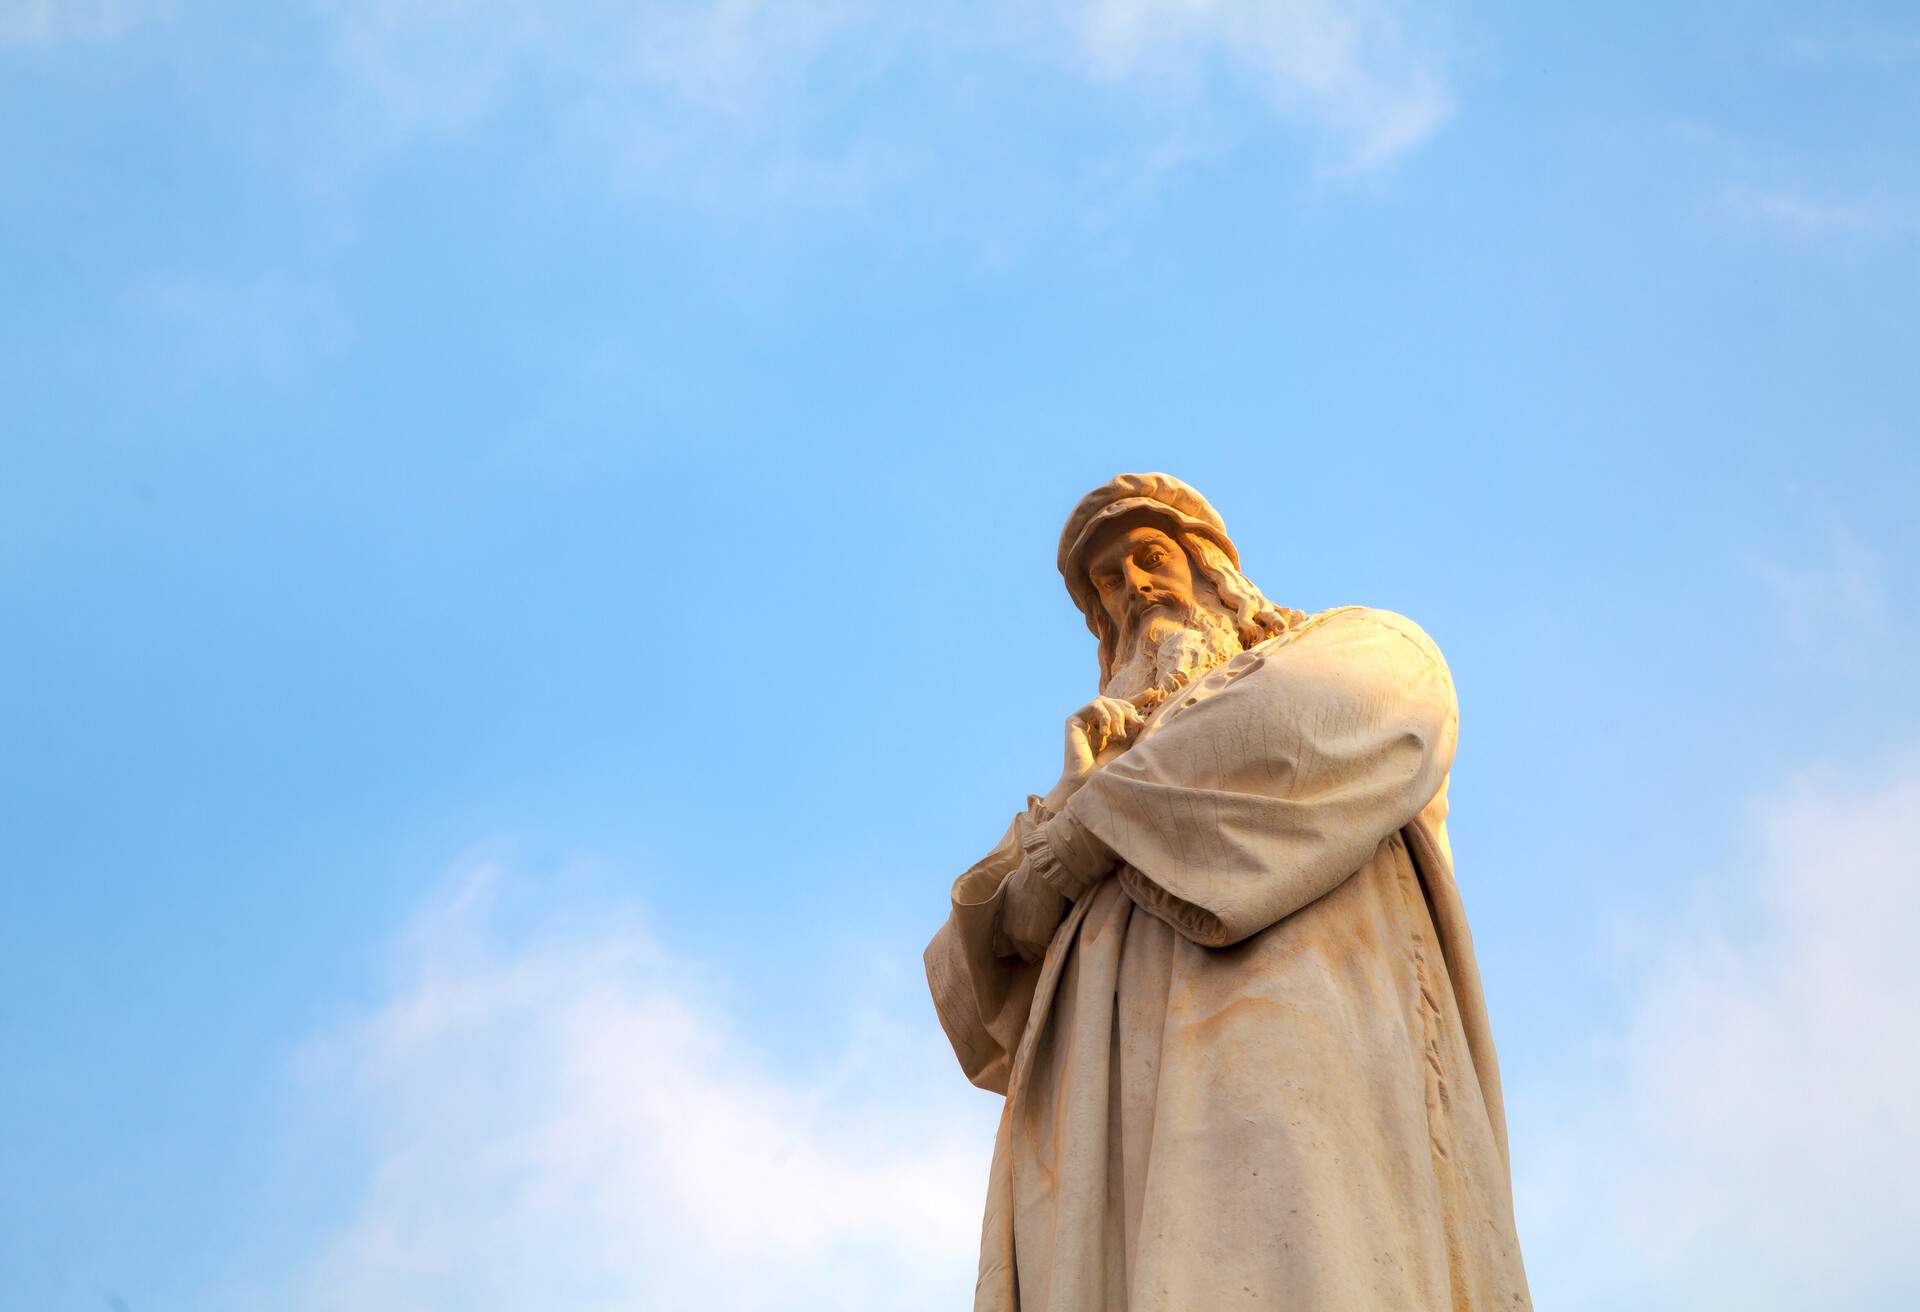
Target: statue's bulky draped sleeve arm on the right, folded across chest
(1266, 796)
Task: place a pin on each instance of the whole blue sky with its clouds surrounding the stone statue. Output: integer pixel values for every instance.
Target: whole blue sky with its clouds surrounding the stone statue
(527, 543)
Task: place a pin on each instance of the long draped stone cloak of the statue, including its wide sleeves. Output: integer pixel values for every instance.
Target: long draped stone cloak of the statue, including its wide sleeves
(1253, 1069)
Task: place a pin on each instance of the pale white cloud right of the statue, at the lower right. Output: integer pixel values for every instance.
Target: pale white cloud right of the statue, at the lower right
(1748, 1140)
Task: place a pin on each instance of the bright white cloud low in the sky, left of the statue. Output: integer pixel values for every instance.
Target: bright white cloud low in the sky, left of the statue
(573, 1123)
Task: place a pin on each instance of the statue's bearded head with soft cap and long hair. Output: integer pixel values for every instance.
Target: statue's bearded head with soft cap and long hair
(1153, 570)
